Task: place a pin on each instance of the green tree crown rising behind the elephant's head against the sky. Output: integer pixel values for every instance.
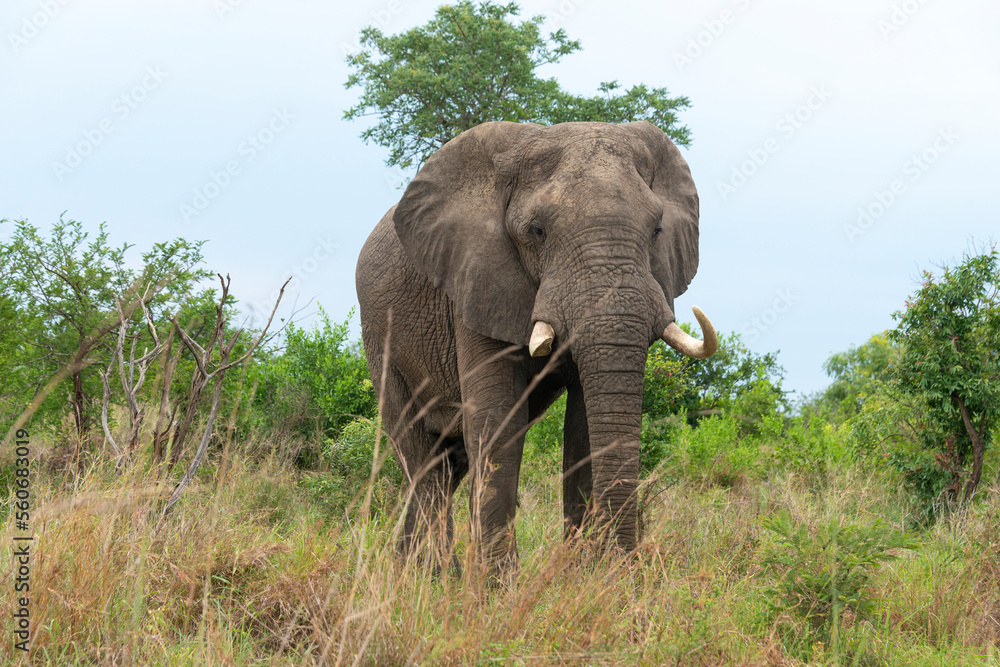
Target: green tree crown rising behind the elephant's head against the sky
(471, 64)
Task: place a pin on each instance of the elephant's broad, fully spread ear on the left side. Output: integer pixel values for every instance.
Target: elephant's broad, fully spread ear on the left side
(451, 223)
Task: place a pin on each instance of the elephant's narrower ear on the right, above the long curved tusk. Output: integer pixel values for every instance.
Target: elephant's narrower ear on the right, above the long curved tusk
(674, 260)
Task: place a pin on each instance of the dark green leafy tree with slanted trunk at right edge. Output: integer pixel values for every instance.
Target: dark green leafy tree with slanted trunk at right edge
(949, 335)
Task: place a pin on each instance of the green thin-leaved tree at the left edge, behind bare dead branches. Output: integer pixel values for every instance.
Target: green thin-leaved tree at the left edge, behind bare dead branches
(59, 293)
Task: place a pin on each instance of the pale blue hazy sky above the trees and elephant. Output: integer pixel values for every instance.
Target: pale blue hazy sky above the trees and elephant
(839, 146)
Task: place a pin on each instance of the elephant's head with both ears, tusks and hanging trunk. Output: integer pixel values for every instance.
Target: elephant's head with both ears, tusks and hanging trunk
(580, 232)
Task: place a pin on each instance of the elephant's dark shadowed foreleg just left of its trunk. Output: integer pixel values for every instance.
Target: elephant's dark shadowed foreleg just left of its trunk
(577, 479)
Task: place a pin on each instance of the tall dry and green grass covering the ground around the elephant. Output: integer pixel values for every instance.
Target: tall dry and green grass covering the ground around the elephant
(266, 565)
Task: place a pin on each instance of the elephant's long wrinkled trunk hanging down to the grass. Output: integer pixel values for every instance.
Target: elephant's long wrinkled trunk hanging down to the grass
(611, 375)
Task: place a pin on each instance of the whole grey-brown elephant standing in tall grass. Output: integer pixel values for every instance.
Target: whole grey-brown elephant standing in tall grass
(523, 261)
